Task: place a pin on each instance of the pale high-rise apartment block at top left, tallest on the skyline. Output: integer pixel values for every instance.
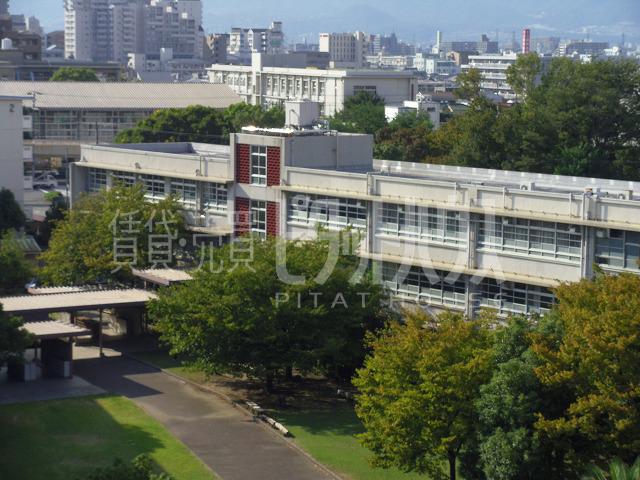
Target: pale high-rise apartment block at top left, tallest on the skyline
(104, 30)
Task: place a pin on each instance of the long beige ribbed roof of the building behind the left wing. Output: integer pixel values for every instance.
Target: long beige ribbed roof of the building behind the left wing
(121, 95)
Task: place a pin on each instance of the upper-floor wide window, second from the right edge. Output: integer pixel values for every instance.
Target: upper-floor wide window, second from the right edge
(530, 237)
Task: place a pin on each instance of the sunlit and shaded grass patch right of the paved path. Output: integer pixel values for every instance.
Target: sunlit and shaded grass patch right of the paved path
(329, 436)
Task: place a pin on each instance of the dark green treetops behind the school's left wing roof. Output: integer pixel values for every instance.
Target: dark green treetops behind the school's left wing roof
(197, 123)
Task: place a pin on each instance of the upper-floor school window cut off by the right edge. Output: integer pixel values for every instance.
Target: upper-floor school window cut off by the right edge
(618, 249)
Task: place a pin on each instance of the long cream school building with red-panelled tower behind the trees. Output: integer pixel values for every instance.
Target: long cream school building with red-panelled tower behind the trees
(444, 237)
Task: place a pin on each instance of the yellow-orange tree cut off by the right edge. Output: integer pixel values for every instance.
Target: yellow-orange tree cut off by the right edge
(591, 366)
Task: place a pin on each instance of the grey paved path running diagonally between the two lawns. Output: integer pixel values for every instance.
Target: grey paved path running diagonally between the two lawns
(235, 447)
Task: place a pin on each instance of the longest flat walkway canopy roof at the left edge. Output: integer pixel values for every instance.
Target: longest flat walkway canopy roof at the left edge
(69, 302)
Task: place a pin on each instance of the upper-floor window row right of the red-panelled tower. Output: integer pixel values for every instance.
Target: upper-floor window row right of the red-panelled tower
(533, 238)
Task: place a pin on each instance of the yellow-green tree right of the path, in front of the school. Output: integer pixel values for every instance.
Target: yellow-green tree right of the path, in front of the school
(417, 388)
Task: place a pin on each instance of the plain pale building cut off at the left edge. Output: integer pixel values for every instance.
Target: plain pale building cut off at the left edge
(13, 154)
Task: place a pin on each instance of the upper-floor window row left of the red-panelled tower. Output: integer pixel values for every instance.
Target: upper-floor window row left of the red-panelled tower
(213, 196)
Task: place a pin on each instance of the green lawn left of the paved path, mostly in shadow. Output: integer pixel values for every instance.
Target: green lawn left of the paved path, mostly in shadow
(66, 439)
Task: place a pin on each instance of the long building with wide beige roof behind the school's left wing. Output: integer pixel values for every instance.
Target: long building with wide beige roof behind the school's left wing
(66, 115)
